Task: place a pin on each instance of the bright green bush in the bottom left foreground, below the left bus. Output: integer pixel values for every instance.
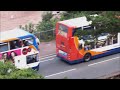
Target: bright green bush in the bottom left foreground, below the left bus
(9, 71)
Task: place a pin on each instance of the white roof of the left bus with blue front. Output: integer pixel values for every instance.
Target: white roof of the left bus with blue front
(13, 34)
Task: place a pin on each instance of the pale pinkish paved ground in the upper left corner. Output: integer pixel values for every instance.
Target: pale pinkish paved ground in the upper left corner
(12, 19)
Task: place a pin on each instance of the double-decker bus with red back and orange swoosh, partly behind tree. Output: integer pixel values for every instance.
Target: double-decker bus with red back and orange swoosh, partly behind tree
(72, 49)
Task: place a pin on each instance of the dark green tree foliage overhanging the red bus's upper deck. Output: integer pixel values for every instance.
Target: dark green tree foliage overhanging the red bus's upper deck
(105, 22)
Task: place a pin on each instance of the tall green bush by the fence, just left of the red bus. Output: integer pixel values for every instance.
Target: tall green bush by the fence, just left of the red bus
(47, 24)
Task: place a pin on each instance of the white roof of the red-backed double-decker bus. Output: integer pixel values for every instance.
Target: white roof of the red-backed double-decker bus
(76, 22)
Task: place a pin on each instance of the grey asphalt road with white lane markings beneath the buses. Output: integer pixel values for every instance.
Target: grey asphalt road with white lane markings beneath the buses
(52, 67)
